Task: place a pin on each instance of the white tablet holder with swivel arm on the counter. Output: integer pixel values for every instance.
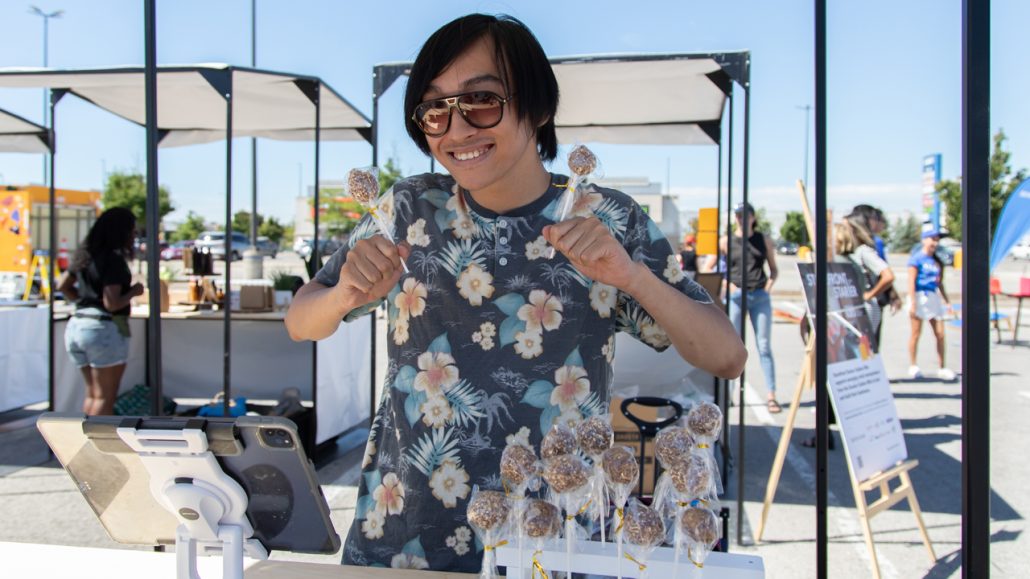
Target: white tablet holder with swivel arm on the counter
(211, 506)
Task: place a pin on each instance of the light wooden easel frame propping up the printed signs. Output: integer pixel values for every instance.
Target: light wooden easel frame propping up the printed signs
(882, 482)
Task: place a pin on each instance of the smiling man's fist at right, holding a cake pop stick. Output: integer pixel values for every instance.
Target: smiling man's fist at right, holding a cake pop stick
(593, 251)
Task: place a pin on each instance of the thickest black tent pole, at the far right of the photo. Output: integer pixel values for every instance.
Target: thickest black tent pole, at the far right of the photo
(976, 277)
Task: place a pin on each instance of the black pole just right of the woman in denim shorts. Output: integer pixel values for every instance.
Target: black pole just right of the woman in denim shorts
(154, 373)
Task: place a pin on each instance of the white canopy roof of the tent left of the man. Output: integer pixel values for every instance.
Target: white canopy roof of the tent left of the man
(192, 110)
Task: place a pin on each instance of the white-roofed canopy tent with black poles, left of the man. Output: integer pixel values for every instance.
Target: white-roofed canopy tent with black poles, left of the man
(203, 104)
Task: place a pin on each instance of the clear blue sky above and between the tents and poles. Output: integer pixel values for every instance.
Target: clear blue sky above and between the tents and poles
(895, 87)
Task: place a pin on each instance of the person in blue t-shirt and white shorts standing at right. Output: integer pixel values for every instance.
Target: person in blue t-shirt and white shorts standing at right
(928, 300)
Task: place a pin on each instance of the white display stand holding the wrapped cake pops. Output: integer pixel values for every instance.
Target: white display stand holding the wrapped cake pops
(598, 559)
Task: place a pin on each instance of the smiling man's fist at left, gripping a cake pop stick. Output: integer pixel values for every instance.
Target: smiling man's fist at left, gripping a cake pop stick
(373, 267)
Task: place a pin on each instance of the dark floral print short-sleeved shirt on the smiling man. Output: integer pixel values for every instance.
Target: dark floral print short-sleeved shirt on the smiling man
(492, 343)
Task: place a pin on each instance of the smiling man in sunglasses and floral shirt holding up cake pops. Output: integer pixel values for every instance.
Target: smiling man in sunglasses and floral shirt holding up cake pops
(491, 342)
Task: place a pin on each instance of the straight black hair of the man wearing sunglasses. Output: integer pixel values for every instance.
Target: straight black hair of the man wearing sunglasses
(525, 70)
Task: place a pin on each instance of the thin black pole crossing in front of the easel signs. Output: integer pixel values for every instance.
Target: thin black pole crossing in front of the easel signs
(822, 253)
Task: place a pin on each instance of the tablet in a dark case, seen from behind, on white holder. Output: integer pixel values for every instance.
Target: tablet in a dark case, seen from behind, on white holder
(263, 454)
